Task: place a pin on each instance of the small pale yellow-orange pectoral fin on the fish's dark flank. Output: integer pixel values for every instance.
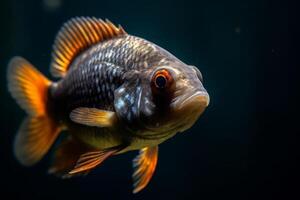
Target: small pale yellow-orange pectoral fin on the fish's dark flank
(93, 117)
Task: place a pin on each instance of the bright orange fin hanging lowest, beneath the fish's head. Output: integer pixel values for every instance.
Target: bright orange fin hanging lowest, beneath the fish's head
(144, 165)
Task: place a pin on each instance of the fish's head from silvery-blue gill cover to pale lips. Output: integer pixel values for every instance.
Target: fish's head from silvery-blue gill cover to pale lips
(165, 99)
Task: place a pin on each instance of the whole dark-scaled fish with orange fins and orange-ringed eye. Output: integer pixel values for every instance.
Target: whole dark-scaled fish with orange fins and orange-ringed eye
(113, 93)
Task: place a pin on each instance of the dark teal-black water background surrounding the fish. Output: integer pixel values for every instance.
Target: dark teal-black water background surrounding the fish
(245, 145)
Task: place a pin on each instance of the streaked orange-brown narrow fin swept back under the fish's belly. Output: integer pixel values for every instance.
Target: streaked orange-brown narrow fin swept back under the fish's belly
(90, 160)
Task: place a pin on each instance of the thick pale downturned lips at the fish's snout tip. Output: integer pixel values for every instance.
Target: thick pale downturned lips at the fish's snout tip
(201, 97)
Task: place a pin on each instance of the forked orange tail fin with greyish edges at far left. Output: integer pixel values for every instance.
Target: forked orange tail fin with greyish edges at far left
(37, 132)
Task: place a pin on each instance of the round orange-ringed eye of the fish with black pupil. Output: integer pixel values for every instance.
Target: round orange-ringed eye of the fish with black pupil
(162, 79)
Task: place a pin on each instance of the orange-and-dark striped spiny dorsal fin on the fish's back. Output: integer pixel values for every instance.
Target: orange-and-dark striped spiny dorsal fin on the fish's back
(75, 36)
